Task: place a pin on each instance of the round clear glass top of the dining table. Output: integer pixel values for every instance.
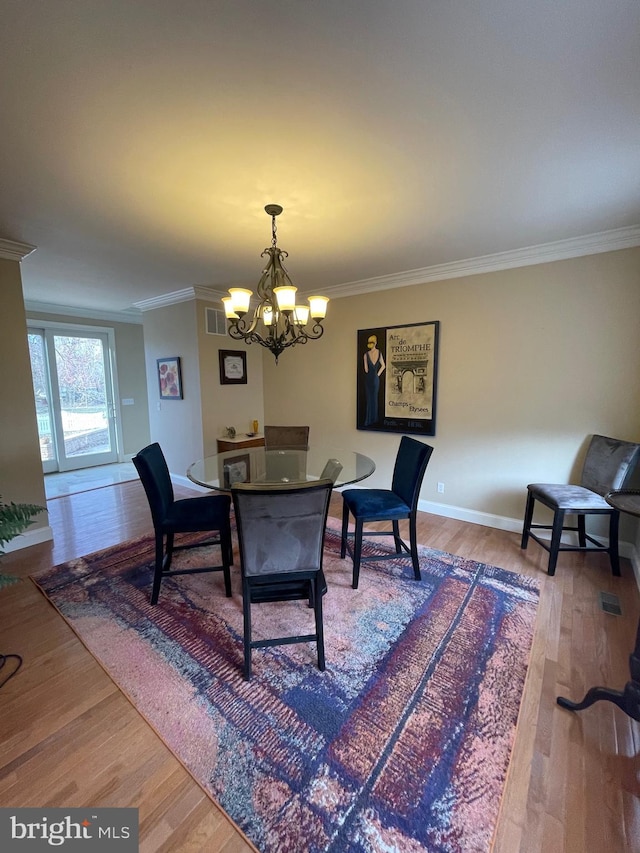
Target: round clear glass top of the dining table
(280, 465)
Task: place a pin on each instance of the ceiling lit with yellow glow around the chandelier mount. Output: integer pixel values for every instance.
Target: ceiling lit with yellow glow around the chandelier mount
(141, 140)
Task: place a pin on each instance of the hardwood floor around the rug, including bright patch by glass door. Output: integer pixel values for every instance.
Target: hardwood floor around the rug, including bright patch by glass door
(70, 738)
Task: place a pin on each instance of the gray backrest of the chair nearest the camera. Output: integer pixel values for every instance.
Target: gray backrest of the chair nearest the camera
(280, 527)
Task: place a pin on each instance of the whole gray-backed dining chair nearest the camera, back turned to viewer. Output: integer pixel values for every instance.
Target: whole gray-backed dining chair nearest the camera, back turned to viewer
(281, 538)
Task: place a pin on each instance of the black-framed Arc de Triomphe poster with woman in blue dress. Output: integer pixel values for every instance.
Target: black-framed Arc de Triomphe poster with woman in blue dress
(397, 370)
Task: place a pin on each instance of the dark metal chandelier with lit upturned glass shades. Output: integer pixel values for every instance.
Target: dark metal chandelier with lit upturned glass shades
(276, 322)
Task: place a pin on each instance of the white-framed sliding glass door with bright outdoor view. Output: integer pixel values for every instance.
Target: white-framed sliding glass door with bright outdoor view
(73, 387)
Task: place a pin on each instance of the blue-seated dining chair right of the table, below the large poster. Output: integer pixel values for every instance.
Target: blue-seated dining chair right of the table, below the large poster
(394, 504)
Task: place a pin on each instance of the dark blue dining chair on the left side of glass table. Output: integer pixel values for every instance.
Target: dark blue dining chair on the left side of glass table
(189, 515)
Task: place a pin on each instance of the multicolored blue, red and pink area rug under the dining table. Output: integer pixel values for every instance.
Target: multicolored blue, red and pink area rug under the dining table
(401, 745)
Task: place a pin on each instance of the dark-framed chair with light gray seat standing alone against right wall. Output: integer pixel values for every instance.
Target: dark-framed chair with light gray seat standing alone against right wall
(608, 463)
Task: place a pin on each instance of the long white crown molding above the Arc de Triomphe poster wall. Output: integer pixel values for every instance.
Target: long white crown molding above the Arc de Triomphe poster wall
(560, 250)
